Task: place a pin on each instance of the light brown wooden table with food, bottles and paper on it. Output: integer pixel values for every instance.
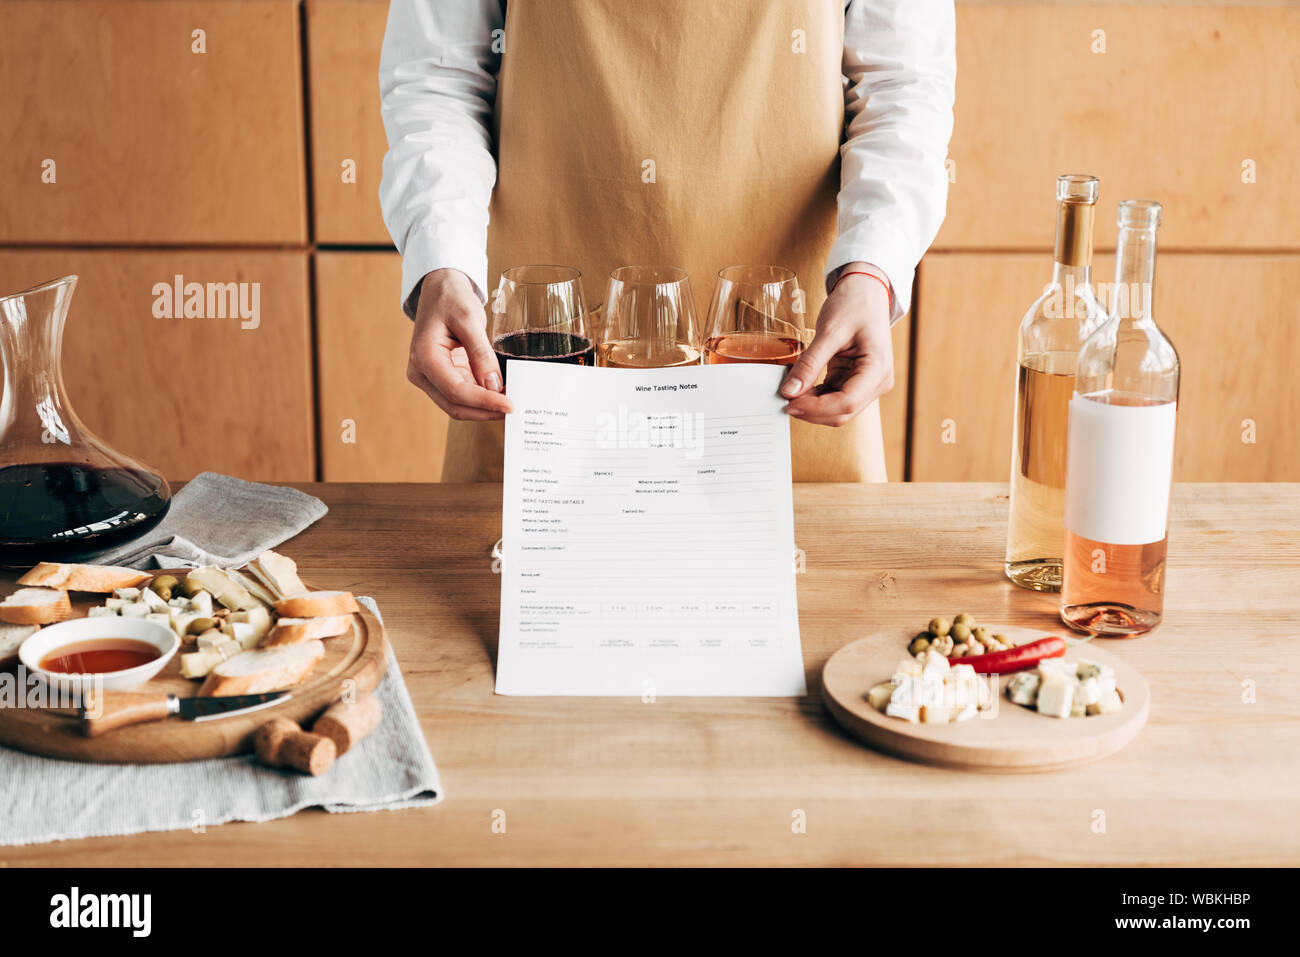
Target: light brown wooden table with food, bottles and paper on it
(1214, 780)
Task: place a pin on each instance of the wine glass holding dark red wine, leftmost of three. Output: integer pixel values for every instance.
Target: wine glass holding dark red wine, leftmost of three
(540, 313)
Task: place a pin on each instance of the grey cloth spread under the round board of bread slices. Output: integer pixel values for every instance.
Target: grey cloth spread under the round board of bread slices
(47, 800)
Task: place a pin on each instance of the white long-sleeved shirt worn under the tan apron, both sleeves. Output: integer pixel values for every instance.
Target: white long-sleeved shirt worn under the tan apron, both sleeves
(439, 81)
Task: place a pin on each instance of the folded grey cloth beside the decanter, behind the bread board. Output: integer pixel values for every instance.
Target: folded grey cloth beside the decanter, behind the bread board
(219, 519)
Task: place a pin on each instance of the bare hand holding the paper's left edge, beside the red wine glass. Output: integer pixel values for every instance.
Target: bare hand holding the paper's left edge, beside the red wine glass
(452, 360)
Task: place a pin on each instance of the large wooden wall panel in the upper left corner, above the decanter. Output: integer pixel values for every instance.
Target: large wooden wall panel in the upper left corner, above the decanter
(151, 142)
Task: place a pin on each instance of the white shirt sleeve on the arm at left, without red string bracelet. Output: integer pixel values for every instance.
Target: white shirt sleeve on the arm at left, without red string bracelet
(437, 85)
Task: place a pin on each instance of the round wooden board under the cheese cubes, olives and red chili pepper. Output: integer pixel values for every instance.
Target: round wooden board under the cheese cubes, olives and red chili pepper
(1017, 739)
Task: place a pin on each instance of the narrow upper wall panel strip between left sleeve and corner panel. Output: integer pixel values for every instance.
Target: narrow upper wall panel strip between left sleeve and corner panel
(344, 40)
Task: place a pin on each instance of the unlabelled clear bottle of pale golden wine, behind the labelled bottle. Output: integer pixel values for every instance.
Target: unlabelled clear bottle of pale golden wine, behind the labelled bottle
(1050, 339)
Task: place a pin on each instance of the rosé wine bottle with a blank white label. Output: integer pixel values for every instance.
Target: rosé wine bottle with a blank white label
(1121, 453)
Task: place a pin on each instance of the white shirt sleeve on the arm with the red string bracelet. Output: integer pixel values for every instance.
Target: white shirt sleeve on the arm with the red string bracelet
(900, 67)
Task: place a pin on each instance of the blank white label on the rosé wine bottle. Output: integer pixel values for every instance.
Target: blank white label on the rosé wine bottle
(1120, 465)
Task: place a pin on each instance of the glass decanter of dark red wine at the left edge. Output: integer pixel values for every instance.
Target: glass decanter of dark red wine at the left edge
(64, 492)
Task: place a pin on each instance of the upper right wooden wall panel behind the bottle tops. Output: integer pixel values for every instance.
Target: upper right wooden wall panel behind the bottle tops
(1181, 98)
